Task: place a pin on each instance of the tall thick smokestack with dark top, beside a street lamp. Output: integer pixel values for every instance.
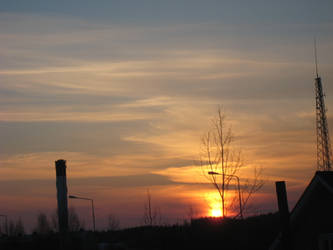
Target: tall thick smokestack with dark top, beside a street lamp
(62, 195)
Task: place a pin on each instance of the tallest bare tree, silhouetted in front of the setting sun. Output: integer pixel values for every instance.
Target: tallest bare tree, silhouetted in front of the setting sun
(221, 163)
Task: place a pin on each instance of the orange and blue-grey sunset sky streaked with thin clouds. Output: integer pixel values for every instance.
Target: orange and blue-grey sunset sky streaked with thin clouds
(124, 91)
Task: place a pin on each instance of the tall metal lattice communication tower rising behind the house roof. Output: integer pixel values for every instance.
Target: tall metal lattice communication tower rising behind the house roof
(324, 153)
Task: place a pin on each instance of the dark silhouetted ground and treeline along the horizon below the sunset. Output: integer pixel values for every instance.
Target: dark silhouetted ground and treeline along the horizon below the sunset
(204, 233)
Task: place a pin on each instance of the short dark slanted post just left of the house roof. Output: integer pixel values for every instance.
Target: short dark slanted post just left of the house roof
(281, 194)
